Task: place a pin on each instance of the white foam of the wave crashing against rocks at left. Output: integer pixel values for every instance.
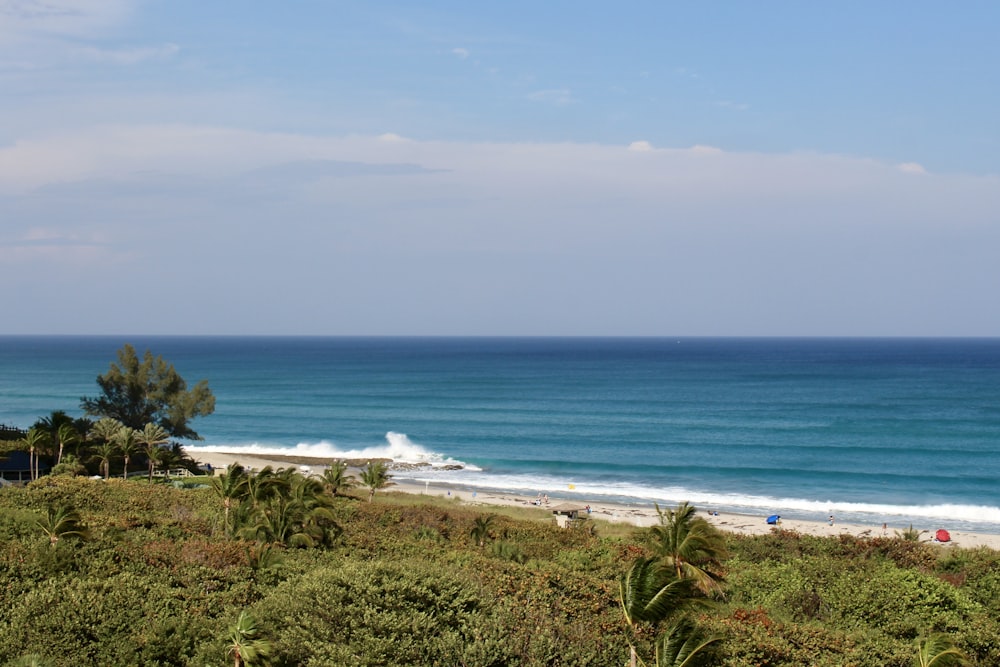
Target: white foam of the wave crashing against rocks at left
(397, 447)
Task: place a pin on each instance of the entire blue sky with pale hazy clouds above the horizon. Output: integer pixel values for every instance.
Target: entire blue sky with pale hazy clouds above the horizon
(520, 168)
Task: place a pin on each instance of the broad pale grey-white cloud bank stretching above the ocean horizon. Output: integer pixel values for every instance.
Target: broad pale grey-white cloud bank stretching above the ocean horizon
(314, 210)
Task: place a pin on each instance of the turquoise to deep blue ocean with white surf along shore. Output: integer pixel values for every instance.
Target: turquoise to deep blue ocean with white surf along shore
(872, 430)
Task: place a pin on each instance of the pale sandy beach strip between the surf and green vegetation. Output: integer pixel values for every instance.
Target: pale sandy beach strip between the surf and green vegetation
(637, 515)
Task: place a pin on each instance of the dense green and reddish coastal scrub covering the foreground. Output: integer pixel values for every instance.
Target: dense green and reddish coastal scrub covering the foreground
(124, 572)
